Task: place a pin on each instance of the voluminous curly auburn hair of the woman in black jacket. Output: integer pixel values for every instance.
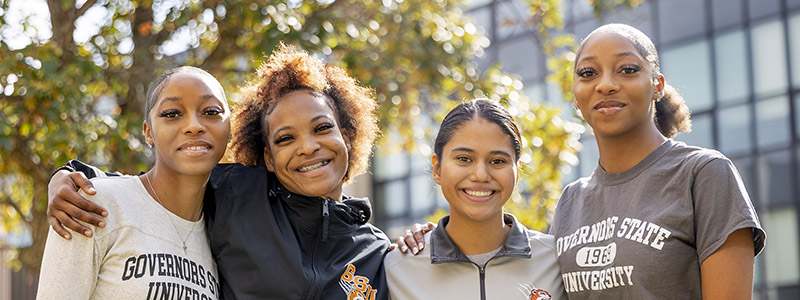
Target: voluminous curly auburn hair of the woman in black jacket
(286, 70)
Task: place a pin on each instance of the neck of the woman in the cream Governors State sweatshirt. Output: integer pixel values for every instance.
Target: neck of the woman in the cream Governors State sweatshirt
(178, 193)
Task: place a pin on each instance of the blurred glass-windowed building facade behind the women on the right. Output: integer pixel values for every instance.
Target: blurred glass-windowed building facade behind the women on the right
(737, 63)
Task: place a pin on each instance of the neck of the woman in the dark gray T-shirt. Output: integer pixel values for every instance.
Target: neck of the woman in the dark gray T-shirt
(620, 153)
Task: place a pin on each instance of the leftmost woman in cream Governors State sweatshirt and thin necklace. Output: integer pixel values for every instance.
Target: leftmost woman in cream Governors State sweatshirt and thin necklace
(154, 243)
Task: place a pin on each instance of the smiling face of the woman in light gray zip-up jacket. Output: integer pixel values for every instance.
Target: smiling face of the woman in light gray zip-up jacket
(477, 171)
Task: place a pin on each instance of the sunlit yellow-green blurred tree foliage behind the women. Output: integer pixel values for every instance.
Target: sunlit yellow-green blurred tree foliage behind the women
(73, 78)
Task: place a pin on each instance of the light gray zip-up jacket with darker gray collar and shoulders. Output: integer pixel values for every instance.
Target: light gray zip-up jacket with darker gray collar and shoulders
(525, 268)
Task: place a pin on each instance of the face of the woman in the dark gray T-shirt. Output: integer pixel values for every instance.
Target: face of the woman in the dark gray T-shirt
(615, 86)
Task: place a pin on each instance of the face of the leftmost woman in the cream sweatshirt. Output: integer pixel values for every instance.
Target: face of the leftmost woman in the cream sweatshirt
(189, 124)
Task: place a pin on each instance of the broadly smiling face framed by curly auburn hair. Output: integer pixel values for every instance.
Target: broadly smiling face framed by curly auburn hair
(306, 149)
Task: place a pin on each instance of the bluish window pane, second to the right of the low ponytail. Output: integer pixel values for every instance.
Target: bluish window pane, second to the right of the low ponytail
(733, 125)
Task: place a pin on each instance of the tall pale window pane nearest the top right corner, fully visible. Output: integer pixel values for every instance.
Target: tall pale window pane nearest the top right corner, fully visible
(769, 57)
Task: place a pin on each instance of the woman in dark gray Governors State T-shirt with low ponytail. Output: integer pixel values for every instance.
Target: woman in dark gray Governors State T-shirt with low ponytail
(657, 218)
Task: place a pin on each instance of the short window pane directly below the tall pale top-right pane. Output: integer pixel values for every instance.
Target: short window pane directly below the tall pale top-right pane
(772, 122)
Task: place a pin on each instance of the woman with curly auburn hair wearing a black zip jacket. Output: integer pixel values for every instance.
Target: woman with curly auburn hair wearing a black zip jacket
(278, 223)
